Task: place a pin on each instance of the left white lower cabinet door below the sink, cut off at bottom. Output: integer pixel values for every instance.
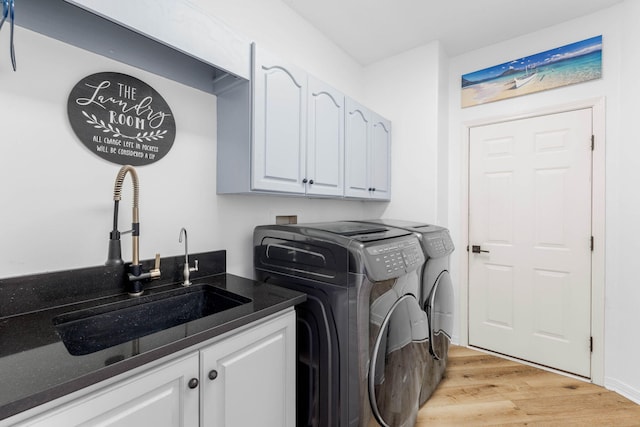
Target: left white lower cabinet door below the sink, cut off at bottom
(160, 397)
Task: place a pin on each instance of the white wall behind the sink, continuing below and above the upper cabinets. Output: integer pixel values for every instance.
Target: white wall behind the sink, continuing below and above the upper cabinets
(56, 196)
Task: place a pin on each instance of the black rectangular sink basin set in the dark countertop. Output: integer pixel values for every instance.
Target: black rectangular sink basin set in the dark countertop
(93, 329)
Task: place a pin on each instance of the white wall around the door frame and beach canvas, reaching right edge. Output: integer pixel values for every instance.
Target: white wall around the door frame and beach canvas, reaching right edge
(618, 26)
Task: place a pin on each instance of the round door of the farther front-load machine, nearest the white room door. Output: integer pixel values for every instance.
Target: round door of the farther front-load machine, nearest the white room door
(439, 309)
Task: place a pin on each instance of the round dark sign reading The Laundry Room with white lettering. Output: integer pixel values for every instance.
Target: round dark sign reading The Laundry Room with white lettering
(121, 119)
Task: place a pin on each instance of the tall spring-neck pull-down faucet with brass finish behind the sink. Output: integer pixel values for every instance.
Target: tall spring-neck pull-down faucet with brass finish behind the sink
(136, 275)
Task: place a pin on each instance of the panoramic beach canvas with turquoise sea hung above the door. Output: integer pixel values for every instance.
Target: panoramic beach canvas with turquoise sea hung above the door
(566, 65)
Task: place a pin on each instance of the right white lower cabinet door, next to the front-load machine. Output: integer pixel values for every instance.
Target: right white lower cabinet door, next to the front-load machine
(253, 377)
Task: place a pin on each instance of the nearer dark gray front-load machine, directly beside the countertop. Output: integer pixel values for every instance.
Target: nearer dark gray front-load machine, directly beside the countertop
(363, 337)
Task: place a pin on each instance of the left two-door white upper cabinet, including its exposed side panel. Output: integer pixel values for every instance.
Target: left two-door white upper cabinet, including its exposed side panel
(296, 142)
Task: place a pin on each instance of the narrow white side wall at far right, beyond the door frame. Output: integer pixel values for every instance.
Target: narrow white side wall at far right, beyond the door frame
(623, 212)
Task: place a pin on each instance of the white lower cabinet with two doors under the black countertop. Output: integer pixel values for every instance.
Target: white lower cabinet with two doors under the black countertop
(245, 379)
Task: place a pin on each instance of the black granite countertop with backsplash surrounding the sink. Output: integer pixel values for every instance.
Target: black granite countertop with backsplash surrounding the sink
(35, 365)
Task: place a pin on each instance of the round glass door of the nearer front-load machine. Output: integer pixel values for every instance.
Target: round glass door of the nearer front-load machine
(399, 350)
